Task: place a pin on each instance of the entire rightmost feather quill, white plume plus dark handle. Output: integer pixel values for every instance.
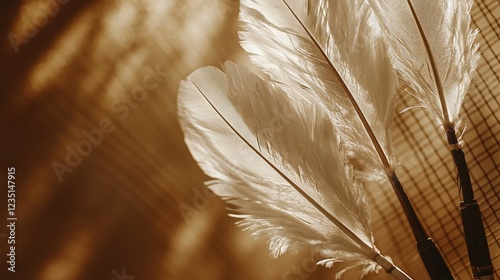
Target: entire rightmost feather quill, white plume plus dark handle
(438, 65)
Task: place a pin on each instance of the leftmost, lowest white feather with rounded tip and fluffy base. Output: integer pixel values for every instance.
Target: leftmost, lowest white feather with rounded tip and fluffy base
(274, 158)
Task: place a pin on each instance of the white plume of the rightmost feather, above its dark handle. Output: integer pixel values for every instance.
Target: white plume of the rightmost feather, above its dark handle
(433, 50)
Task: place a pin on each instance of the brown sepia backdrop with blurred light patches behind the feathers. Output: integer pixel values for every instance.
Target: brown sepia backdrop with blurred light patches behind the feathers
(106, 188)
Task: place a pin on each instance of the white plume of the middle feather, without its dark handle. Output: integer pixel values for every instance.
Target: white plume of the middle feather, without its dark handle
(325, 51)
